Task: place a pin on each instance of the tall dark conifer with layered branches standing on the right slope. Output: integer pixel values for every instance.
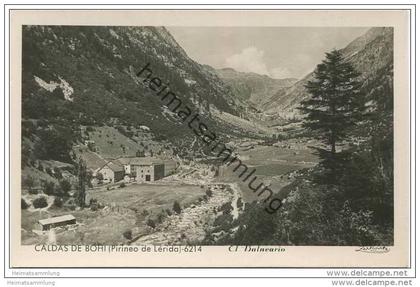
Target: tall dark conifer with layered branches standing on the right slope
(334, 108)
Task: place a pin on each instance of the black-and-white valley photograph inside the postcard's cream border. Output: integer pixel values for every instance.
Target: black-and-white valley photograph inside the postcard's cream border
(207, 135)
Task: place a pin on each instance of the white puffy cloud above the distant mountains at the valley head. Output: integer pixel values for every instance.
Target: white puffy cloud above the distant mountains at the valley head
(251, 59)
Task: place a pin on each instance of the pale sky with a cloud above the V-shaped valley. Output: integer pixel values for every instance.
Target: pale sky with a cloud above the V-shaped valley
(279, 52)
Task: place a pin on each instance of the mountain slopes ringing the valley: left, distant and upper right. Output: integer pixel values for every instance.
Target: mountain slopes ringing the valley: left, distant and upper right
(75, 76)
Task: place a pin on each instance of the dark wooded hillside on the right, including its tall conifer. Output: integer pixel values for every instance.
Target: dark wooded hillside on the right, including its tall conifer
(348, 198)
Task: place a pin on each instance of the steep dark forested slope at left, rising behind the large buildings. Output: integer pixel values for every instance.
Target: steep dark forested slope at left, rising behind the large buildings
(77, 77)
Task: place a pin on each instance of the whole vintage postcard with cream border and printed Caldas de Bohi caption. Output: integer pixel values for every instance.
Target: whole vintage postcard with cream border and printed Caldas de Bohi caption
(178, 138)
